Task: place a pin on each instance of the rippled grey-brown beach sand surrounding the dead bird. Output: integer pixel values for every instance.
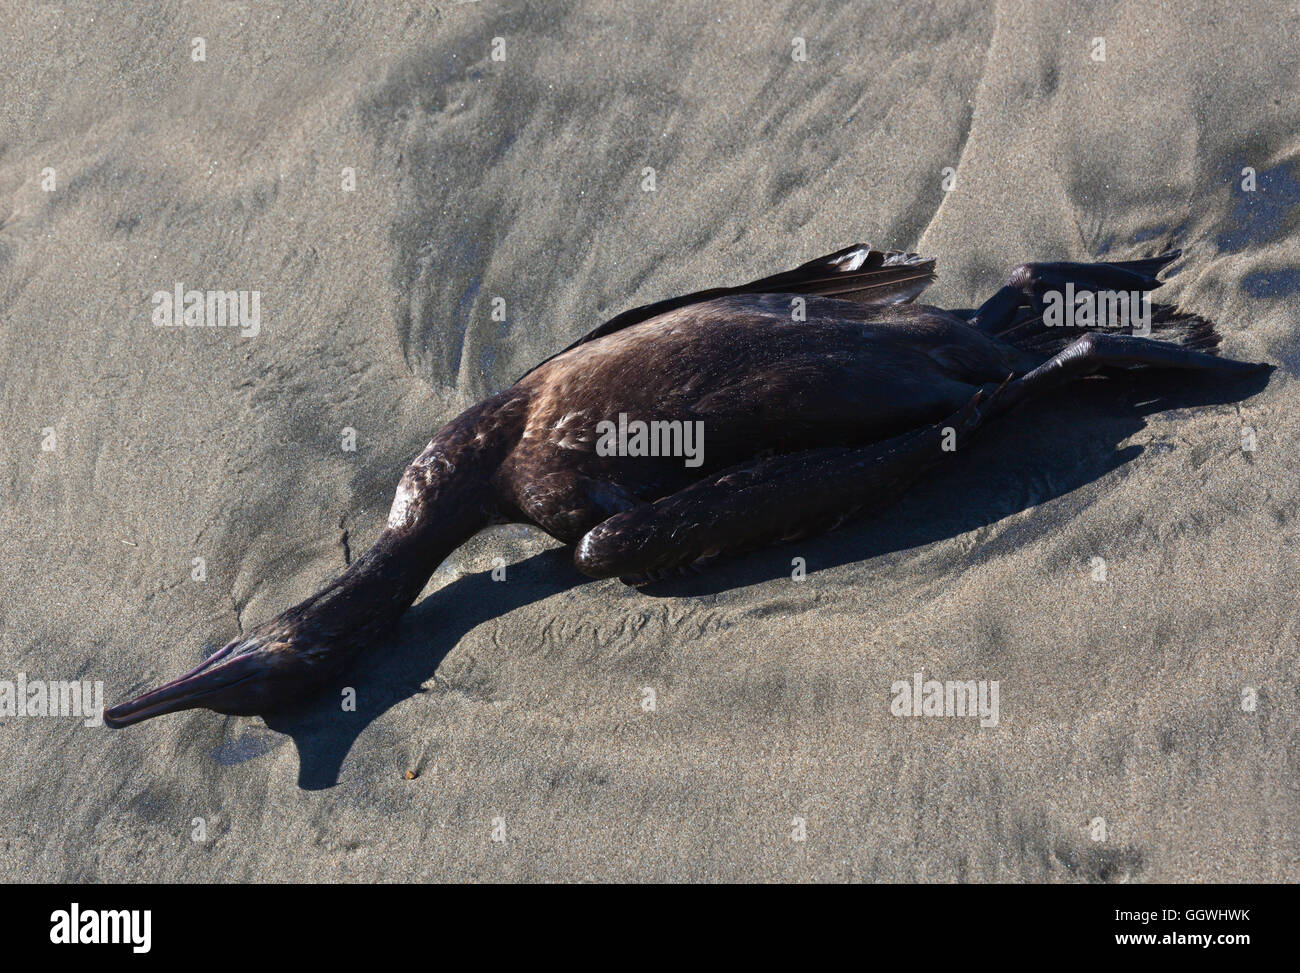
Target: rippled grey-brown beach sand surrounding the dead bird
(1149, 721)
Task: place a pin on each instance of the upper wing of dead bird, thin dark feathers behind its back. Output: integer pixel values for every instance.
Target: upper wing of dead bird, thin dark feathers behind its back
(855, 274)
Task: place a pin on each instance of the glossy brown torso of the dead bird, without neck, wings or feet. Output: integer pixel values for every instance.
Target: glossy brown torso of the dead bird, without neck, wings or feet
(755, 380)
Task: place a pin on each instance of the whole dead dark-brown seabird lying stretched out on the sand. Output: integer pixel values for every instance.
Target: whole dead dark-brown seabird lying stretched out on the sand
(779, 409)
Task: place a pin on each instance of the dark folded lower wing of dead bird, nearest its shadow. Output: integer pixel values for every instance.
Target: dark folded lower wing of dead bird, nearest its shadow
(769, 501)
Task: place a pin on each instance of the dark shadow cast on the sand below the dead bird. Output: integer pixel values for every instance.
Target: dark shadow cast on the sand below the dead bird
(1043, 451)
